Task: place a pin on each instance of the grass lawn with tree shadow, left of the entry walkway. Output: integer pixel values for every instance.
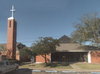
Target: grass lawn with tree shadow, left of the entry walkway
(47, 67)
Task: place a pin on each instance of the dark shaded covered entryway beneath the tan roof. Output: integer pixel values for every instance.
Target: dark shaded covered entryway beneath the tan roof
(69, 56)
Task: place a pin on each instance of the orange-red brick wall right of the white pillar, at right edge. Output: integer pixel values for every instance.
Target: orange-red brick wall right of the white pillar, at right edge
(95, 57)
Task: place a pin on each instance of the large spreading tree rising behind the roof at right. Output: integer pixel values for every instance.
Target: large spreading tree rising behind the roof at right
(87, 30)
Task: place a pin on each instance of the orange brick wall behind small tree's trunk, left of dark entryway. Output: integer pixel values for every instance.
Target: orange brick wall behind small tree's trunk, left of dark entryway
(41, 59)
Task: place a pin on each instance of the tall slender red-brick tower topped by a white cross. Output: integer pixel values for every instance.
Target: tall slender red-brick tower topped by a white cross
(11, 36)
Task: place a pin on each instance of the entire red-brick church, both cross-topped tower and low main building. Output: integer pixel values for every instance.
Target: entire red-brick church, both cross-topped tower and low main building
(66, 52)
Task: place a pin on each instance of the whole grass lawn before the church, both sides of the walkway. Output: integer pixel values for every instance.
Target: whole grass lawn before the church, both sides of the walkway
(60, 67)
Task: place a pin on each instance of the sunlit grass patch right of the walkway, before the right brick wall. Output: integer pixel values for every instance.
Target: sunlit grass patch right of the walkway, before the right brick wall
(88, 66)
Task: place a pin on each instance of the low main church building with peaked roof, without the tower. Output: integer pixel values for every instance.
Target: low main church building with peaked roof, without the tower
(70, 52)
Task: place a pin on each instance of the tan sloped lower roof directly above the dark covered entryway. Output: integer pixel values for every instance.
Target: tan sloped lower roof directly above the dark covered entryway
(74, 47)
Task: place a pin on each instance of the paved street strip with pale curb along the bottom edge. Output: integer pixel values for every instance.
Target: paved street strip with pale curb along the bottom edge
(30, 71)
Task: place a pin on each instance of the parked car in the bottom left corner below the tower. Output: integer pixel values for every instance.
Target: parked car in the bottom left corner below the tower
(7, 66)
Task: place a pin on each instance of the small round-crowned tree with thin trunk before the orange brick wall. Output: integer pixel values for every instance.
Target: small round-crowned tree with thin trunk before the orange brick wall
(44, 46)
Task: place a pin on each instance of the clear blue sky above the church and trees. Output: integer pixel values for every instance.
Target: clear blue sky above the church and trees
(44, 18)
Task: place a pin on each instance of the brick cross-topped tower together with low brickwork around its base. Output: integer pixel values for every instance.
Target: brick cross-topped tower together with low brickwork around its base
(10, 46)
